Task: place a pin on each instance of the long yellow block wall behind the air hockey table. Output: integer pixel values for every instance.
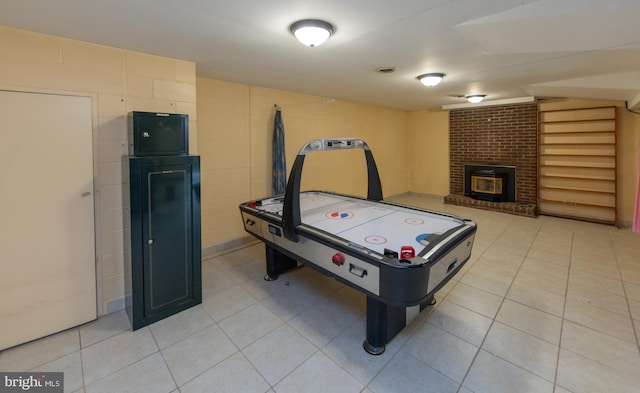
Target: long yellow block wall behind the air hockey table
(235, 124)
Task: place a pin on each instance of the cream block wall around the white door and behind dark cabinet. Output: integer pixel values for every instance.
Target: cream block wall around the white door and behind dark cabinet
(118, 81)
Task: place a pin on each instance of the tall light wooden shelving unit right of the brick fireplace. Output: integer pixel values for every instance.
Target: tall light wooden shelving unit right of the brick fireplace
(577, 164)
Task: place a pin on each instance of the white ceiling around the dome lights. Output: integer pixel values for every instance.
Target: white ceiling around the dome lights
(502, 48)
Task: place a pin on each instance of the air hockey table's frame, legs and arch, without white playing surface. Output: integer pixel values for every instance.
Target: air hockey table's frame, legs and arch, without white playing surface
(397, 287)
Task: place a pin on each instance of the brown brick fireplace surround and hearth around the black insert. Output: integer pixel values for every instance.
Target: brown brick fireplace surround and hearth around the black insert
(503, 135)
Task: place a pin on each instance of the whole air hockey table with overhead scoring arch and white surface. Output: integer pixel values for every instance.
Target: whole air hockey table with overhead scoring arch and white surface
(399, 256)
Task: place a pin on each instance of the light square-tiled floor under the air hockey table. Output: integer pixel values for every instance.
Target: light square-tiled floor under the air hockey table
(544, 305)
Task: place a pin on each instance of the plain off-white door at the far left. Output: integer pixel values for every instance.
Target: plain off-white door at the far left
(47, 250)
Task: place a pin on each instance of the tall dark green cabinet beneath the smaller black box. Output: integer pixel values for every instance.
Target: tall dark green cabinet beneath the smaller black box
(166, 256)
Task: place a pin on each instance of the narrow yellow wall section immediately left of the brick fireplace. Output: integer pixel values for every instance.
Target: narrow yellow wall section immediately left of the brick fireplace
(429, 152)
